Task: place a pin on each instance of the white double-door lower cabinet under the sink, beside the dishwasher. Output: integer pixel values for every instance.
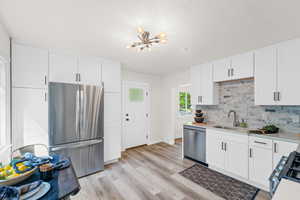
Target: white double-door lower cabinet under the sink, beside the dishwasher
(228, 152)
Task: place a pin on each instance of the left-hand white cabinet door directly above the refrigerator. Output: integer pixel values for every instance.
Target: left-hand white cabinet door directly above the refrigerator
(62, 68)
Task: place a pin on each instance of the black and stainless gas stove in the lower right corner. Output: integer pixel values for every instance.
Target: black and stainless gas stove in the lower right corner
(288, 168)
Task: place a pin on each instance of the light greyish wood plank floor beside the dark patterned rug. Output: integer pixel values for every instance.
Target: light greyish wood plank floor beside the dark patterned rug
(148, 172)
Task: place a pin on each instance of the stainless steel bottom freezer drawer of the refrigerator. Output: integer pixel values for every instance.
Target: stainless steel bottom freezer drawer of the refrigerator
(86, 157)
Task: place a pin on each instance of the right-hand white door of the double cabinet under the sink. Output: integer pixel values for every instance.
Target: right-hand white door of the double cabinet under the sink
(236, 158)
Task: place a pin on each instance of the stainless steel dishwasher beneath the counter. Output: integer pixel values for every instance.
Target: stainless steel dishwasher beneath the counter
(194, 141)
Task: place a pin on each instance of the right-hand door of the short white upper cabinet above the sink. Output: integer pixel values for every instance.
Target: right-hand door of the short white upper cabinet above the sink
(242, 66)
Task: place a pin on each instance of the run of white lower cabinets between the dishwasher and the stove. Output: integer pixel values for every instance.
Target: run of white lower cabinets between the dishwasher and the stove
(249, 157)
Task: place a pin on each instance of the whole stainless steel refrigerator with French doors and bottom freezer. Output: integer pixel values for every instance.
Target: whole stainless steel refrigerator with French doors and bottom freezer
(76, 125)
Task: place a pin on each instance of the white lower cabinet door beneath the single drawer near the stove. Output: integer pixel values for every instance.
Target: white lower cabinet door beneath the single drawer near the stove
(260, 165)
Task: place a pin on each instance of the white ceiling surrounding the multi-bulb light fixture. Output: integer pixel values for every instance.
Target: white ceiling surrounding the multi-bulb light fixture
(198, 30)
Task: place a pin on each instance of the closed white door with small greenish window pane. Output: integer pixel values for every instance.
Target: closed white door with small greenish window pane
(136, 114)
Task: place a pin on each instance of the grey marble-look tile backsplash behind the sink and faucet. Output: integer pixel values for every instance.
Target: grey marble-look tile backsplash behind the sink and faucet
(239, 96)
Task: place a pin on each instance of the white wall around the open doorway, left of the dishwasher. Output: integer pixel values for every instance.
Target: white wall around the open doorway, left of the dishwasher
(170, 84)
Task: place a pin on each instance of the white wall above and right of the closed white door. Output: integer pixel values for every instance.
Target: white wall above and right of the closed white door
(155, 101)
